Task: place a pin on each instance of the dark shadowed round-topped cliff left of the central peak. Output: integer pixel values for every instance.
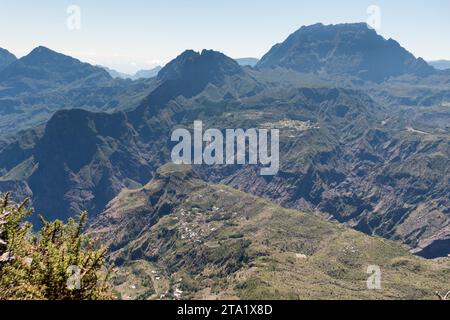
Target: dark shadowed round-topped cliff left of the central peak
(111, 159)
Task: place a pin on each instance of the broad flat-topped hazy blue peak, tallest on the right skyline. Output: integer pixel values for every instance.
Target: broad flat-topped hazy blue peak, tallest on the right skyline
(351, 49)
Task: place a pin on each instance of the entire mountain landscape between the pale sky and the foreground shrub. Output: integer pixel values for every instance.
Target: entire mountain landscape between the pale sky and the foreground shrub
(364, 143)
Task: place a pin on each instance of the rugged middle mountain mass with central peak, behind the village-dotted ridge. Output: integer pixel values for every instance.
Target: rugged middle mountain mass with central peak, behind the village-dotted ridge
(373, 167)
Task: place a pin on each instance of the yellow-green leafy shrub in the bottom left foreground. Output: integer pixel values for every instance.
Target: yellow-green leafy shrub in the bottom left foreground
(59, 262)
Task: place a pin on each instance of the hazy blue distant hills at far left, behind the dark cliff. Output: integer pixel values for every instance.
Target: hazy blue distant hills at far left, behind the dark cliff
(33, 87)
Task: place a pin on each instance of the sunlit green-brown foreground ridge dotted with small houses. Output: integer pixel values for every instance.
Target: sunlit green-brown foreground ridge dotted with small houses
(191, 239)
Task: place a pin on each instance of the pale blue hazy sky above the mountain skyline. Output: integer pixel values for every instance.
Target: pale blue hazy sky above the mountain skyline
(135, 34)
